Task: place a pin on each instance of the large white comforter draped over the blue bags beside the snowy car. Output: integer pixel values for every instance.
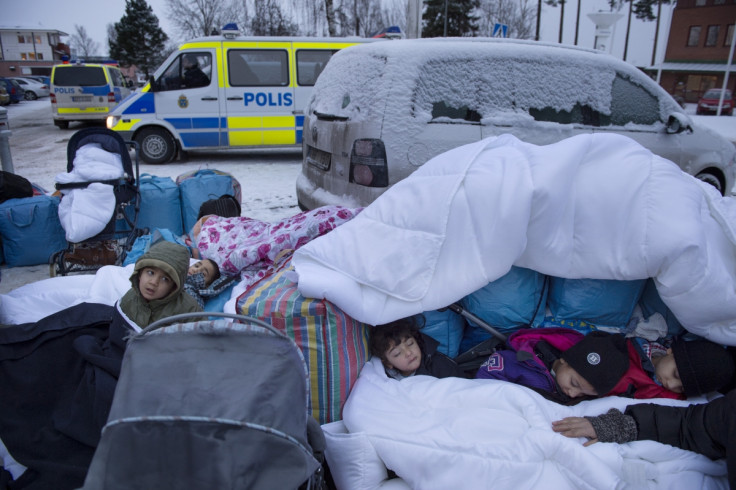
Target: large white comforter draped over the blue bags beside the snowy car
(592, 206)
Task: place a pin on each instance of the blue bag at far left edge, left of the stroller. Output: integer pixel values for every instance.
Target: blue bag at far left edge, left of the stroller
(30, 230)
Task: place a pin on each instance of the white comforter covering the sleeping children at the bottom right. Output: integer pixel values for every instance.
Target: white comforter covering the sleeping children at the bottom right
(461, 433)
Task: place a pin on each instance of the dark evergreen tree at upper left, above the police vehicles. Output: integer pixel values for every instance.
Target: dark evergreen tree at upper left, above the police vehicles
(139, 40)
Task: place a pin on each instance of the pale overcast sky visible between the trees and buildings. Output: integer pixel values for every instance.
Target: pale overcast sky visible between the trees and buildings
(94, 15)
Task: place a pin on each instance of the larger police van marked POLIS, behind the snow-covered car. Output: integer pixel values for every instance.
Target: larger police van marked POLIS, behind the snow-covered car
(227, 91)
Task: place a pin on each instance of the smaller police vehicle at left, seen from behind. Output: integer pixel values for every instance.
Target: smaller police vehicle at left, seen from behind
(85, 92)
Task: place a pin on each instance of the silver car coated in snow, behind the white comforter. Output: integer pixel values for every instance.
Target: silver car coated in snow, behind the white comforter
(381, 110)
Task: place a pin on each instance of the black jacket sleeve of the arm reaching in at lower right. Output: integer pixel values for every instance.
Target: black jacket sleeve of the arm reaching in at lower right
(708, 429)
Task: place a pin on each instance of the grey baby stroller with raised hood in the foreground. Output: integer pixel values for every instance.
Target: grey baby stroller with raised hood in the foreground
(210, 404)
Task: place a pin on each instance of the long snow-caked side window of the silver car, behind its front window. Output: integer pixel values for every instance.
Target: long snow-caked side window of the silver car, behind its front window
(496, 88)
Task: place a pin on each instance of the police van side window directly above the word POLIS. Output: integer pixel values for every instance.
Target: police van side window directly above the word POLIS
(258, 67)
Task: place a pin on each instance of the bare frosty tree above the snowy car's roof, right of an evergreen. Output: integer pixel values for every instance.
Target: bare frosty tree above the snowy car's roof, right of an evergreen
(518, 15)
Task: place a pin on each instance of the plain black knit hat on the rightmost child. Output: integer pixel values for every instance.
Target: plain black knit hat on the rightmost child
(703, 366)
